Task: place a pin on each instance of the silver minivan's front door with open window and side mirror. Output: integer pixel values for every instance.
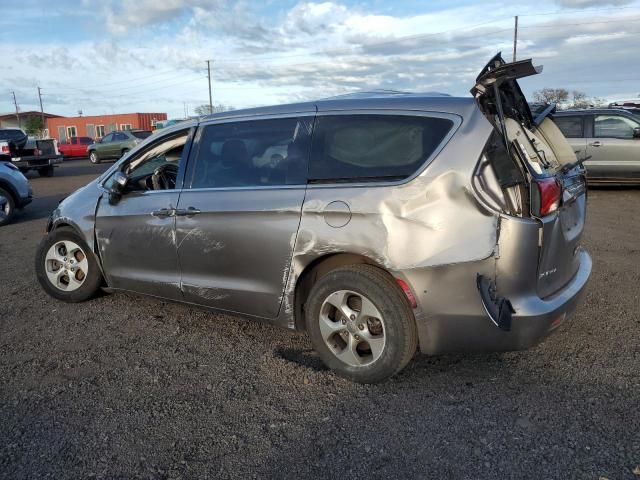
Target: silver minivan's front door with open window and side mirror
(136, 235)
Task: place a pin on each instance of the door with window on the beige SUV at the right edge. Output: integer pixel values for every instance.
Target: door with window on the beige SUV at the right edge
(615, 153)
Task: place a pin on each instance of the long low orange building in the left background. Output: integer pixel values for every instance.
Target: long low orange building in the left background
(97, 126)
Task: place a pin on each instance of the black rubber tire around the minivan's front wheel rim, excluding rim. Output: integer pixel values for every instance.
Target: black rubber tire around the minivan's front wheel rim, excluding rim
(93, 279)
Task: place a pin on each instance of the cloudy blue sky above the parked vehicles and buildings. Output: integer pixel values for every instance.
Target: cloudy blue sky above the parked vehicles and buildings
(103, 56)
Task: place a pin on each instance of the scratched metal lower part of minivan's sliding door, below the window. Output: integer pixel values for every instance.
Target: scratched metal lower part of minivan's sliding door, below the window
(234, 255)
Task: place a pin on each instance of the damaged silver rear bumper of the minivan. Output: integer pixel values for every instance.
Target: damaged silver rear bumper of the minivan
(535, 319)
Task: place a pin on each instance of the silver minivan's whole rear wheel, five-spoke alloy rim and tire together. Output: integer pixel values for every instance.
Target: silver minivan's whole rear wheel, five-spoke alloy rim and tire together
(361, 324)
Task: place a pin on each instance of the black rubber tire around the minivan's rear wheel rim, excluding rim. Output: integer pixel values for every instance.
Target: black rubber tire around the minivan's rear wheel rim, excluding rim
(380, 288)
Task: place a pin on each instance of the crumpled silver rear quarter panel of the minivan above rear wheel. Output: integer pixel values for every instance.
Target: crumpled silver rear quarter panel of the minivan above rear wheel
(430, 221)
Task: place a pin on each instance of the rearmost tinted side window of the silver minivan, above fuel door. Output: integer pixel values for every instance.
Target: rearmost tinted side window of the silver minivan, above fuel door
(370, 147)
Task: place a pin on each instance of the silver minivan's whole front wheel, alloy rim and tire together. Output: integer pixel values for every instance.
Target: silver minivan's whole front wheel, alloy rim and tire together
(65, 266)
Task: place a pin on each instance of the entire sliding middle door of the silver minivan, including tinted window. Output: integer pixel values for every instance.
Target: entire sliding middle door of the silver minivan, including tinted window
(239, 213)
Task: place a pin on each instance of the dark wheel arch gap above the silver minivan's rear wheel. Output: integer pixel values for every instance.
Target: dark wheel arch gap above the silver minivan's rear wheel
(315, 270)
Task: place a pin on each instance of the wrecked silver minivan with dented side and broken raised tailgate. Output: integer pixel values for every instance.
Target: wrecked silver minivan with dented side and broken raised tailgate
(376, 223)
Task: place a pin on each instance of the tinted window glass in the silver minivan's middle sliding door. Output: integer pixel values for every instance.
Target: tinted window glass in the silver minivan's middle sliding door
(253, 153)
